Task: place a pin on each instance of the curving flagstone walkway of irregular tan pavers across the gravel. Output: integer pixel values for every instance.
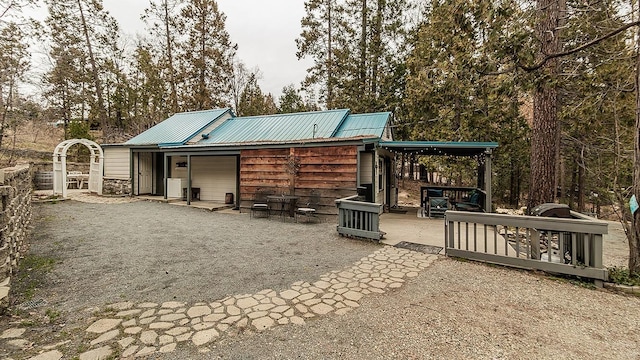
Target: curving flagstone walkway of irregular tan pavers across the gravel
(133, 330)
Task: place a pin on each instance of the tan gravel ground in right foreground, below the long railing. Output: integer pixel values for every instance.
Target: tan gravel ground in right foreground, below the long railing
(462, 310)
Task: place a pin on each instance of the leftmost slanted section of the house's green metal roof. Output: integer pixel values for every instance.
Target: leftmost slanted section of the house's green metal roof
(178, 129)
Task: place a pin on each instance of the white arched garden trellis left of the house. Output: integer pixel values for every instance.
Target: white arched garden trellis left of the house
(60, 166)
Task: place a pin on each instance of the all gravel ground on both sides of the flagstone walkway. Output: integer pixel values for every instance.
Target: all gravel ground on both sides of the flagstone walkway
(144, 251)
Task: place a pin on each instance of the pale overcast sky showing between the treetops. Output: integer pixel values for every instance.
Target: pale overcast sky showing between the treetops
(265, 31)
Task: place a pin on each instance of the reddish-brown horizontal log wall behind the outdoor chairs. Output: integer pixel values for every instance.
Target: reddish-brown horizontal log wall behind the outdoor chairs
(331, 170)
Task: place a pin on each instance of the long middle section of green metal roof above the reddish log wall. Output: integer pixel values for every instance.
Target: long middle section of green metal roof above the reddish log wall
(277, 128)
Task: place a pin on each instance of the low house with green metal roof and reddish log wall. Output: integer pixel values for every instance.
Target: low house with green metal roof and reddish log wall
(213, 155)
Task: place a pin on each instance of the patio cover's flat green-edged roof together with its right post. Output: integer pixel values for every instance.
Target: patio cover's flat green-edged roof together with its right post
(480, 150)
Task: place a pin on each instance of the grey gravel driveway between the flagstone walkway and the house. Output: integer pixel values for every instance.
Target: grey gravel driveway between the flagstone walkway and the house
(145, 251)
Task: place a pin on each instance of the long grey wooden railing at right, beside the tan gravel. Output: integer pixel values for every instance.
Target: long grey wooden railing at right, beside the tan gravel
(564, 246)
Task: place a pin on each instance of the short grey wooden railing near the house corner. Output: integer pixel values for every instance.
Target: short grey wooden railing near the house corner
(360, 219)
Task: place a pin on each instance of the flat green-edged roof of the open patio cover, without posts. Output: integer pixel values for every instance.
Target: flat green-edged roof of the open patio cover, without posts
(439, 147)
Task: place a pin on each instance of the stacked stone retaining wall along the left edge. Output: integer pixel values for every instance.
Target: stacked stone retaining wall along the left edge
(15, 217)
